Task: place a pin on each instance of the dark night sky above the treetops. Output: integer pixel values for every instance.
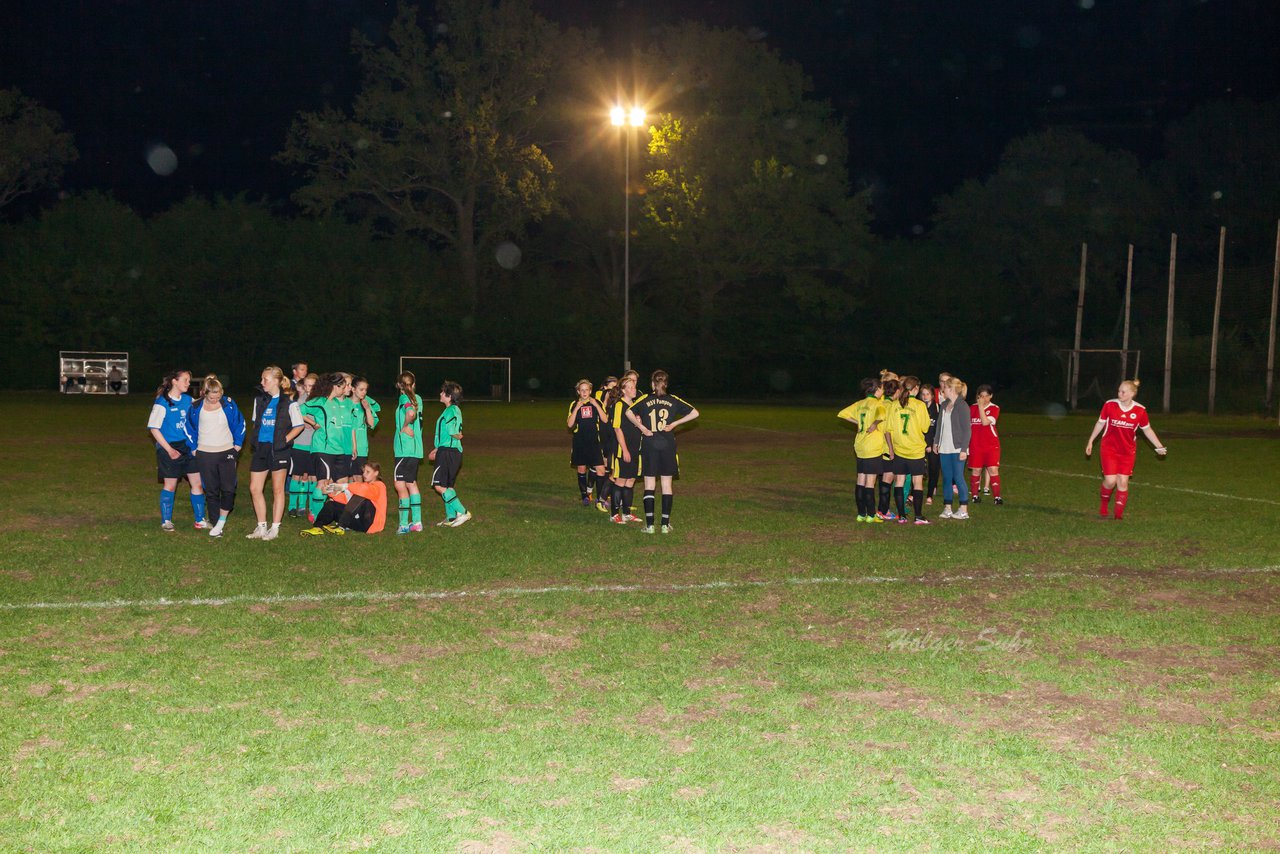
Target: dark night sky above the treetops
(931, 92)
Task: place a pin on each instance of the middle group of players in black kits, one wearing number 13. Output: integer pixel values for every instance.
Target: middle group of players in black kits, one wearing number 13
(621, 436)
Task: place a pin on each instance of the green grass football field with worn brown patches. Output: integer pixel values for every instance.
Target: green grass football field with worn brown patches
(771, 677)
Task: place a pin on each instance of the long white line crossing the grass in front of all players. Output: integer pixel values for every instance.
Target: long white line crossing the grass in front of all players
(414, 596)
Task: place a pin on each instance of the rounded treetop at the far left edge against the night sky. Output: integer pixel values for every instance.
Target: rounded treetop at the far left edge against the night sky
(34, 148)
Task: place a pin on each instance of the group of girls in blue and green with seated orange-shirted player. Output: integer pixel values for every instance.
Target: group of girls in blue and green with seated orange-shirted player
(309, 435)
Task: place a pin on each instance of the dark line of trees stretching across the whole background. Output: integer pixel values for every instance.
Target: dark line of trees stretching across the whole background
(470, 202)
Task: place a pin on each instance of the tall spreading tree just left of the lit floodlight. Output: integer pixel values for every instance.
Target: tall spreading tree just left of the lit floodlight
(444, 139)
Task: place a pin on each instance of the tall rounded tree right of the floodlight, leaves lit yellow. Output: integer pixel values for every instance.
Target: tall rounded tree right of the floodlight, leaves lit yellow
(747, 175)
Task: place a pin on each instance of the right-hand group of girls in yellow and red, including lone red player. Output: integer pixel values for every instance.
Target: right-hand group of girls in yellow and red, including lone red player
(909, 436)
